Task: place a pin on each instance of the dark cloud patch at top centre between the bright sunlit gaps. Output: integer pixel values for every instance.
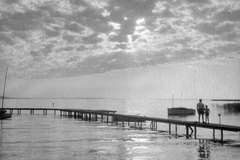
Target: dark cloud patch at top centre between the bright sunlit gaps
(126, 14)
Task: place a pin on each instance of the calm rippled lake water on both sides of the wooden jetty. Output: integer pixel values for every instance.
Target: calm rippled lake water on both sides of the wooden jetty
(52, 136)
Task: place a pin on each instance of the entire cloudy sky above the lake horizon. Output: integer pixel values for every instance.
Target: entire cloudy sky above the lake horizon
(120, 48)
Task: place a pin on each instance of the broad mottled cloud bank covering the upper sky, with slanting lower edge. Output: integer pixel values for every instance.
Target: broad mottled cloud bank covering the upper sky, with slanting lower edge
(80, 37)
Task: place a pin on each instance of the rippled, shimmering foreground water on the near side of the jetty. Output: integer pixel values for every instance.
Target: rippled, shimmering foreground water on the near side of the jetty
(54, 137)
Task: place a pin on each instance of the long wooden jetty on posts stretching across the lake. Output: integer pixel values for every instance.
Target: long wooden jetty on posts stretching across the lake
(110, 116)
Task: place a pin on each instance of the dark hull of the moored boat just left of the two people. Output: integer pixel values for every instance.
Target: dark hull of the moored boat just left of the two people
(181, 111)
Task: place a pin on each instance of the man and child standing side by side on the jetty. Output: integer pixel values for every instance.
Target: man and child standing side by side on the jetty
(203, 110)
